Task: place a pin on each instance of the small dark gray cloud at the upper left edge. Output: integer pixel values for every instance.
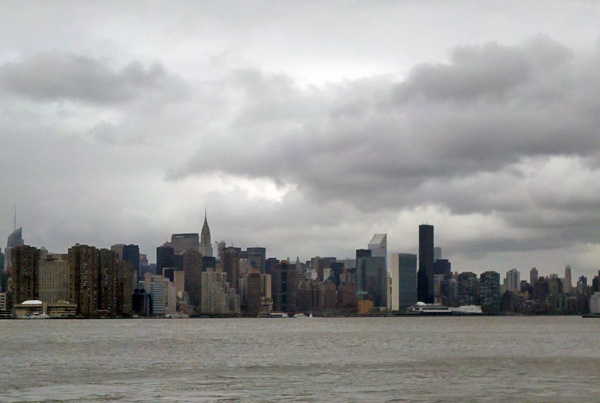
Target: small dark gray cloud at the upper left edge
(54, 76)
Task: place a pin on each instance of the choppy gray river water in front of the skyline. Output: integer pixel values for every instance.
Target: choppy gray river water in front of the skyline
(439, 359)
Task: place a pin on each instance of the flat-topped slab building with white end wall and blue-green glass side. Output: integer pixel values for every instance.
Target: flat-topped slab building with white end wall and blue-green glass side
(404, 280)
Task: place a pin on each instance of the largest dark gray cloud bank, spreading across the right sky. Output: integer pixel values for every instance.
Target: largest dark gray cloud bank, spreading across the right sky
(379, 143)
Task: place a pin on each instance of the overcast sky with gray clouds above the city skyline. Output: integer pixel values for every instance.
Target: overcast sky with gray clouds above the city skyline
(307, 126)
